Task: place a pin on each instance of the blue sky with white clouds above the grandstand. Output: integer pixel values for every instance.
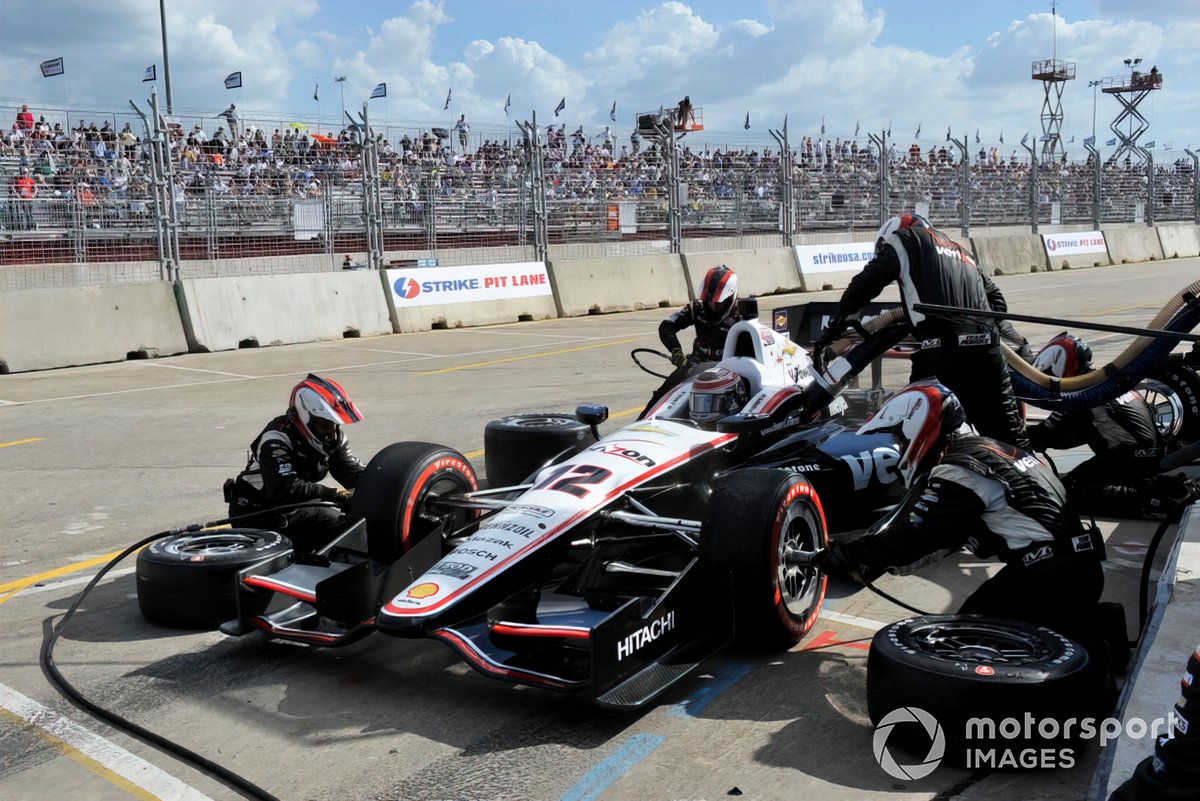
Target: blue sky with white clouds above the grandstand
(866, 63)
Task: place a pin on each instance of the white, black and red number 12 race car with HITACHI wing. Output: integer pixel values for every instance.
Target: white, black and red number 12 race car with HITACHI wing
(614, 571)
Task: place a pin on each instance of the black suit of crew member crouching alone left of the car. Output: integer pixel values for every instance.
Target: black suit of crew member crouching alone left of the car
(284, 469)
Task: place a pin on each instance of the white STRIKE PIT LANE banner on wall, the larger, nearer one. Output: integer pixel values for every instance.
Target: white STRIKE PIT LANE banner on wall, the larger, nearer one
(489, 282)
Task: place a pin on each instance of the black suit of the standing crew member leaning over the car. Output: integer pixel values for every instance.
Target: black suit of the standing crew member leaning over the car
(964, 356)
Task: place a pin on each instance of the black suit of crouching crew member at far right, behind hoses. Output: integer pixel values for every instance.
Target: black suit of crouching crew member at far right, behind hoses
(1119, 480)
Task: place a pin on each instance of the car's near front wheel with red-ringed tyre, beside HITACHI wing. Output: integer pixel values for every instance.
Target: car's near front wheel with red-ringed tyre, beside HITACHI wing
(753, 516)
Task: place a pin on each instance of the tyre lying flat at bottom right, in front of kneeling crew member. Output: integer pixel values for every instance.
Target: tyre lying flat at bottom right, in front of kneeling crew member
(964, 667)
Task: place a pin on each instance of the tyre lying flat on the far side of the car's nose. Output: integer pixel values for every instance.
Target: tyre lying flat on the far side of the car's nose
(519, 445)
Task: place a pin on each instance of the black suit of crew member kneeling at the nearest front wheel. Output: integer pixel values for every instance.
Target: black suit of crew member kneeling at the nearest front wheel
(994, 501)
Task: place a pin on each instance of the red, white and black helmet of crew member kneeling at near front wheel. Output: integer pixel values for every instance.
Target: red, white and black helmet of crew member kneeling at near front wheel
(923, 417)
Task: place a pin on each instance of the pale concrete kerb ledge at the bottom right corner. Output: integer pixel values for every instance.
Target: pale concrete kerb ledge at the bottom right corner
(1173, 631)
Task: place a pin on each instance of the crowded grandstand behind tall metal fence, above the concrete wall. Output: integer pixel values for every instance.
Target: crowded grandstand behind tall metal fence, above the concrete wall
(107, 210)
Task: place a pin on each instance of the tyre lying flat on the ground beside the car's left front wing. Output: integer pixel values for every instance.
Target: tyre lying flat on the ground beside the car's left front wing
(191, 580)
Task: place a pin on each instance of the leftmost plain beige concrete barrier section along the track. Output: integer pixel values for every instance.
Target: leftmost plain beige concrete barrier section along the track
(41, 329)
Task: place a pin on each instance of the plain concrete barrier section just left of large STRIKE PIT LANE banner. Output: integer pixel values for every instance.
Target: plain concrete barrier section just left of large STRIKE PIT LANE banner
(220, 314)
